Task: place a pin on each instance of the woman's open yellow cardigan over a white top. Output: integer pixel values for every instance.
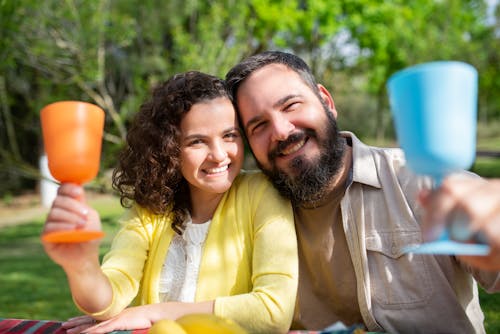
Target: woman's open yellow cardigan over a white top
(249, 262)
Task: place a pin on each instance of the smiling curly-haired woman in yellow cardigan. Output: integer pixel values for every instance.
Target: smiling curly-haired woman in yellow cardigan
(198, 237)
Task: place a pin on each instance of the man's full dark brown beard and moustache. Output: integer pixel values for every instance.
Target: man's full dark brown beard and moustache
(312, 177)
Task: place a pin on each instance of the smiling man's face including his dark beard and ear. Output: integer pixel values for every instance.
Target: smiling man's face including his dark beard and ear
(291, 131)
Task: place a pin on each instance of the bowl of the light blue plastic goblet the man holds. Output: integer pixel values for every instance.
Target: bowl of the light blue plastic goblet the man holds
(434, 106)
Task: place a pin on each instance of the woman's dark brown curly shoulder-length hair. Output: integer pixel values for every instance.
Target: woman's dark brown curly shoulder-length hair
(149, 167)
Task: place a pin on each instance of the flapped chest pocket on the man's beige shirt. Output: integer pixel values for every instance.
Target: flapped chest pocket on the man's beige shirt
(397, 279)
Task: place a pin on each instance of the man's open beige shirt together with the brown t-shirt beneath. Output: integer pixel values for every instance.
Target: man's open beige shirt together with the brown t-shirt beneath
(396, 292)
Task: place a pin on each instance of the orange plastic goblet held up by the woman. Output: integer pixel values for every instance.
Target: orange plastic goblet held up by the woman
(72, 135)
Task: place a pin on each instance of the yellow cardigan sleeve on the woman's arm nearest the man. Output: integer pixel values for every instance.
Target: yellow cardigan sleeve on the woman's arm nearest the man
(269, 307)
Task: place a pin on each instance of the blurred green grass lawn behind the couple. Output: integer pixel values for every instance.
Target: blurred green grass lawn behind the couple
(33, 287)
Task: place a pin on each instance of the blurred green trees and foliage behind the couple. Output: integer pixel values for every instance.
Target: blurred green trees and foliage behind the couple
(111, 53)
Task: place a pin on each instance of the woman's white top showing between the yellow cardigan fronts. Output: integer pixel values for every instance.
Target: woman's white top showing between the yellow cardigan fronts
(179, 274)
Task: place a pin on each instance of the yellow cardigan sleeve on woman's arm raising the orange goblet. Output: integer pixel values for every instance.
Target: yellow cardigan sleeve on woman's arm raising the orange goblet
(124, 263)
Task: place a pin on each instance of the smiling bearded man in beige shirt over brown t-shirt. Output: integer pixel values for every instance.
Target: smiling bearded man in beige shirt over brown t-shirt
(355, 210)
